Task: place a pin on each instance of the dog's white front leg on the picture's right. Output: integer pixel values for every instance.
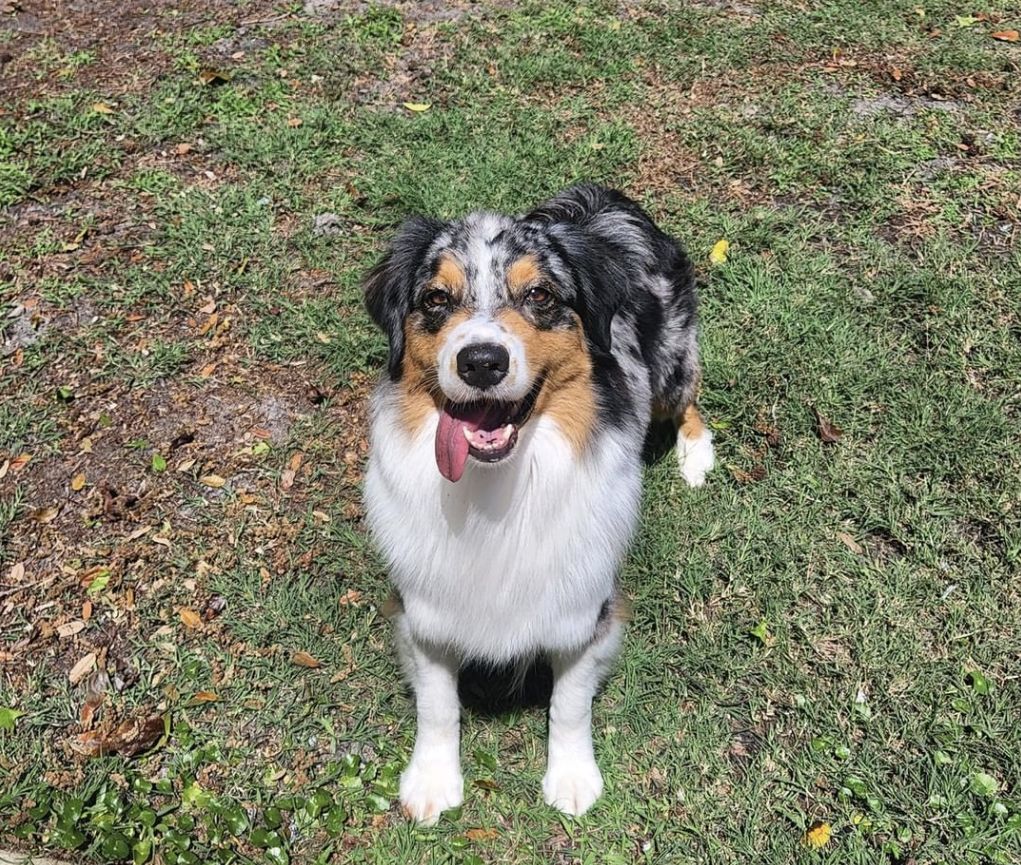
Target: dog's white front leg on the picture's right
(573, 782)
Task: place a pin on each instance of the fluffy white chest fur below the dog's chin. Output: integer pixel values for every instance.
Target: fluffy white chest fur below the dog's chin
(513, 559)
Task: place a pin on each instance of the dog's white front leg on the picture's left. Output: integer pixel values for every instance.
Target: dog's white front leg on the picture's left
(432, 782)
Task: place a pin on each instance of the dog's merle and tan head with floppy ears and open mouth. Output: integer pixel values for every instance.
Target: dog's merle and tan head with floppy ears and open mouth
(494, 321)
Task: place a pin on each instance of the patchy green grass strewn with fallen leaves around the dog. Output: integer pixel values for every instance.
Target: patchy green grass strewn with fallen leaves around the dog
(826, 634)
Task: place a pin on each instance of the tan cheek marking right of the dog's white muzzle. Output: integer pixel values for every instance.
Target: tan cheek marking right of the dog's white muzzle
(568, 397)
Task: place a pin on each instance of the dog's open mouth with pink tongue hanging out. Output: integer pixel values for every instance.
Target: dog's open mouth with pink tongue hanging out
(487, 431)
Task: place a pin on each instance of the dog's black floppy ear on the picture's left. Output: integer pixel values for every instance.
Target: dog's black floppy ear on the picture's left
(391, 285)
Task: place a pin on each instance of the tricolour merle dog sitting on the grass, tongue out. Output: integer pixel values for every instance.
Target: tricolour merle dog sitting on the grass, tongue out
(527, 358)
